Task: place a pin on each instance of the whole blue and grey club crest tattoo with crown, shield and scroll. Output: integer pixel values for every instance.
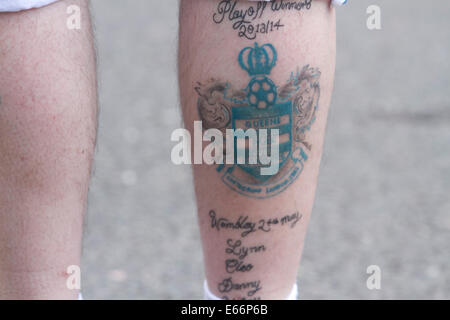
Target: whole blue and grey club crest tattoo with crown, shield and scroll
(291, 108)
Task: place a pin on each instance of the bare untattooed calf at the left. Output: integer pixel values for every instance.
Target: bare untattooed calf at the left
(48, 120)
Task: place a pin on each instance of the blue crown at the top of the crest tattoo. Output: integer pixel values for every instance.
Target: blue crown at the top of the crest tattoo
(258, 60)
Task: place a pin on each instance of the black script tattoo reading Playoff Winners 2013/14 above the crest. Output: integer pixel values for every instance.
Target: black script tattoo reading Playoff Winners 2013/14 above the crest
(249, 20)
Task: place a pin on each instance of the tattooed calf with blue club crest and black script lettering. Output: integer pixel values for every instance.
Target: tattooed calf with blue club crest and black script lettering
(253, 227)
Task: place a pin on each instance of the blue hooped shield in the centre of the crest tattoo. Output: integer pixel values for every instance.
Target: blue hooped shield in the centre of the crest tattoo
(276, 116)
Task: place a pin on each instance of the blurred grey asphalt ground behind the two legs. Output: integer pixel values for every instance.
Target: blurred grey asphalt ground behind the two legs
(383, 195)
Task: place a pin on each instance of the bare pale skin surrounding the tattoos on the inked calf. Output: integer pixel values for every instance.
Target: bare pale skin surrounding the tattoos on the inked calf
(209, 50)
